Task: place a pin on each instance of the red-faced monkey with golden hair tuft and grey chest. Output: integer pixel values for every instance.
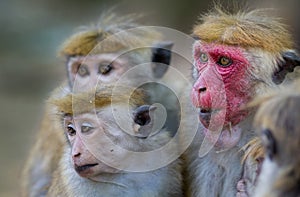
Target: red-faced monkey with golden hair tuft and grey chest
(236, 57)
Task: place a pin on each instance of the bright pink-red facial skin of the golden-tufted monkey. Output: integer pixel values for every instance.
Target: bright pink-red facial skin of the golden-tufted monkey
(221, 90)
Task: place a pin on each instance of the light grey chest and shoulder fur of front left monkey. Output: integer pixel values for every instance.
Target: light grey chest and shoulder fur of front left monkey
(163, 182)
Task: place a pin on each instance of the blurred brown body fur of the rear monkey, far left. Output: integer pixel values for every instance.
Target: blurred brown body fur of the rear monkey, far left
(36, 174)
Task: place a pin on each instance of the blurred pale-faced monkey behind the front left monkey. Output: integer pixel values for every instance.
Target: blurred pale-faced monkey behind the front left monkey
(95, 55)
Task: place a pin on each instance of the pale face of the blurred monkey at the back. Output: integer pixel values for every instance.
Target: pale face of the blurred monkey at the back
(86, 72)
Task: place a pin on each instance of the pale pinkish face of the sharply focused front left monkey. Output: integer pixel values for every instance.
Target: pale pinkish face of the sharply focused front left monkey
(82, 133)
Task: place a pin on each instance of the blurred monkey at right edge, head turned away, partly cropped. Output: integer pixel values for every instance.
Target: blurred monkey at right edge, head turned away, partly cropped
(276, 122)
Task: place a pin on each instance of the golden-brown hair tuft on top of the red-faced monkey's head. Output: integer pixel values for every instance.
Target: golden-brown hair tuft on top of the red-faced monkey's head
(248, 29)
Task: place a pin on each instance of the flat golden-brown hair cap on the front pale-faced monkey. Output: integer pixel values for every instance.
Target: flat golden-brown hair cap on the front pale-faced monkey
(78, 103)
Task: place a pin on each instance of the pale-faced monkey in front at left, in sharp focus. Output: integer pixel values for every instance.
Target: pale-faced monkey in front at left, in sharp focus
(83, 172)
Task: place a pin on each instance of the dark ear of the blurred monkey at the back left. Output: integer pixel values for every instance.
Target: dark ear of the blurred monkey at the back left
(161, 58)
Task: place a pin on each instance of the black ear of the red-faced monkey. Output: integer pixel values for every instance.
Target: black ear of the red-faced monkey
(290, 61)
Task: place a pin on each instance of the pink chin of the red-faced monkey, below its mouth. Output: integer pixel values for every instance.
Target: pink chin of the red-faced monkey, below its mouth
(219, 130)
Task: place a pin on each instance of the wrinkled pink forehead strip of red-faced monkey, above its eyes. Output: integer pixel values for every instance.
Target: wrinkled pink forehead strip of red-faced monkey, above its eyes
(215, 49)
